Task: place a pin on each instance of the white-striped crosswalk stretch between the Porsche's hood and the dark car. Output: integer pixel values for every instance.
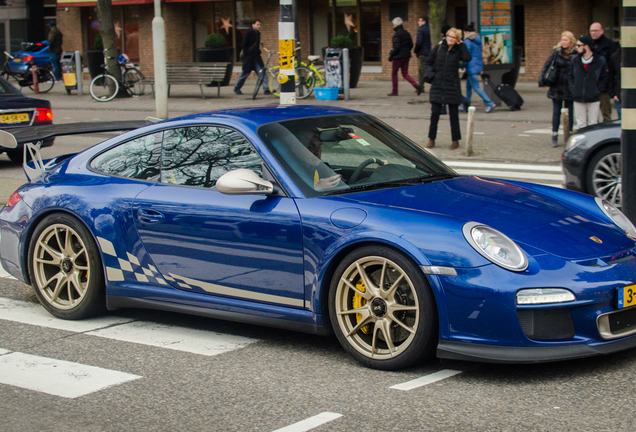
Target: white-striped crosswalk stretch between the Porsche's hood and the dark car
(550, 175)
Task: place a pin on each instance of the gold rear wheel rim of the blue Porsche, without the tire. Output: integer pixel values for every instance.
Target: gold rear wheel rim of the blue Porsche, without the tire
(61, 266)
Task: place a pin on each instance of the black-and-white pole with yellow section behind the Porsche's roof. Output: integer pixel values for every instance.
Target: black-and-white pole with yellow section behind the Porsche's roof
(286, 45)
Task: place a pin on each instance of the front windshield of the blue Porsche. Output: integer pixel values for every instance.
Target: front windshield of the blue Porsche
(340, 154)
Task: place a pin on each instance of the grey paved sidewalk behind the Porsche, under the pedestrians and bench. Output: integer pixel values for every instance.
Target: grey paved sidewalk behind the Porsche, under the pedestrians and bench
(500, 136)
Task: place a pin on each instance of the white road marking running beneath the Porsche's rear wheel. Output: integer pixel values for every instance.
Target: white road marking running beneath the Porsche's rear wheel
(194, 341)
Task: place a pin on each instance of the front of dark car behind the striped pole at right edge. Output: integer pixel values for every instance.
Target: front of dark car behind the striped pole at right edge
(592, 161)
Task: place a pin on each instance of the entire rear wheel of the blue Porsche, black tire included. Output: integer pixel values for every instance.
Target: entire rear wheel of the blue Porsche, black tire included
(66, 269)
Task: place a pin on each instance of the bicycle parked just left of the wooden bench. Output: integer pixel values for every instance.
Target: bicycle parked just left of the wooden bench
(105, 86)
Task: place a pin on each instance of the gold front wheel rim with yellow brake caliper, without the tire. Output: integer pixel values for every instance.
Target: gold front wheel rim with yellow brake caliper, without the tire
(384, 324)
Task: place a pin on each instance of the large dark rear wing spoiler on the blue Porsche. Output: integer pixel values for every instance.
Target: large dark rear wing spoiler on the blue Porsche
(31, 138)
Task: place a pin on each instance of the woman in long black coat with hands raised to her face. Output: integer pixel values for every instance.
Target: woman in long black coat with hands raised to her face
(445, 86)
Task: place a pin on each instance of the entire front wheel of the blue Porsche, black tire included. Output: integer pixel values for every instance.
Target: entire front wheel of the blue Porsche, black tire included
(404, 308)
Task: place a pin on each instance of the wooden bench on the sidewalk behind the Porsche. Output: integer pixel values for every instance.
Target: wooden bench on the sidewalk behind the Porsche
(209, 74)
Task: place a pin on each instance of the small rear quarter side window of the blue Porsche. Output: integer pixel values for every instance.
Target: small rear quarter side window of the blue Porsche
(138, 159)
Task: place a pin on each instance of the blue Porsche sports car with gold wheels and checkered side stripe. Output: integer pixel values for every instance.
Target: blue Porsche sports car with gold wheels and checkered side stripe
(322, 219)
